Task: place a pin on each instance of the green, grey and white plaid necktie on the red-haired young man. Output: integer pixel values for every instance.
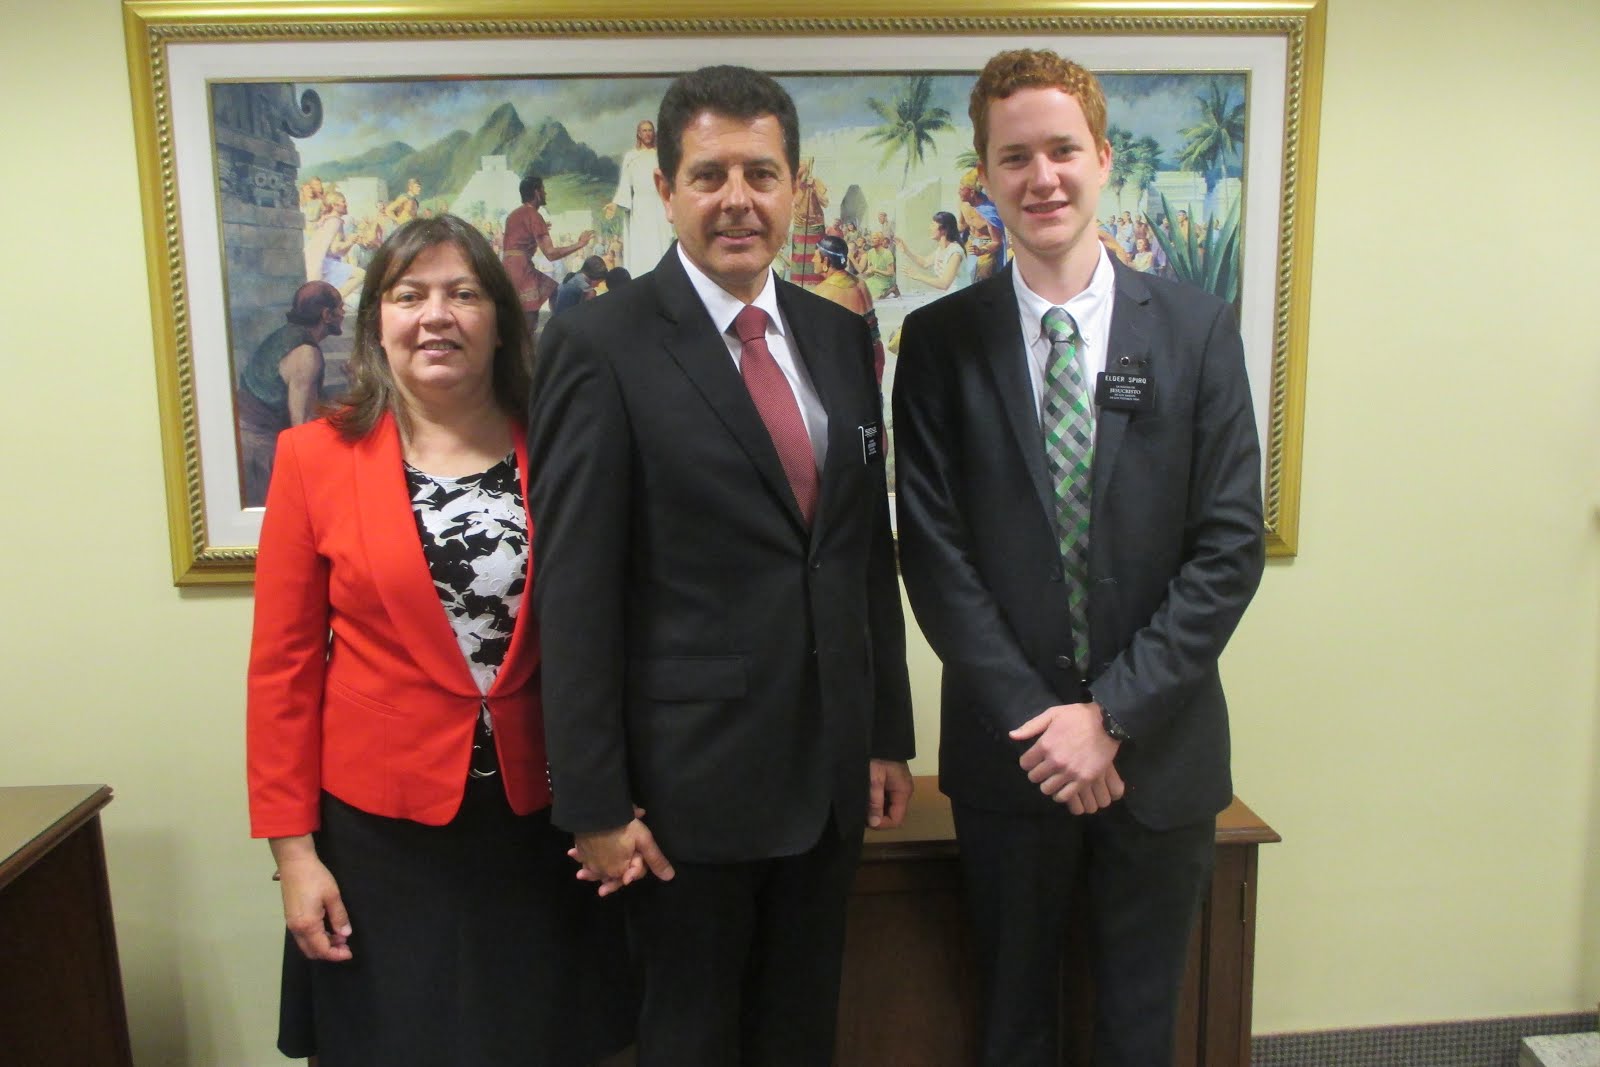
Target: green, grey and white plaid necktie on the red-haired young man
(1068, 422)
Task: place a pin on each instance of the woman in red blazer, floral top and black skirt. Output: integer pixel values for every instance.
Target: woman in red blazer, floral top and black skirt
(396, 746)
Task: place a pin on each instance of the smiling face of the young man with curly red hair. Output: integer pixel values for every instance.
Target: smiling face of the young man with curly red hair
(1044, 174)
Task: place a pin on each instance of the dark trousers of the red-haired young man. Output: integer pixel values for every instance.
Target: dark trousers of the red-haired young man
(1145, 889)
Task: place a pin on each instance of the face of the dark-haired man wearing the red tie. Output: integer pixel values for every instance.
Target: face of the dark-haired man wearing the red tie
(730, 199)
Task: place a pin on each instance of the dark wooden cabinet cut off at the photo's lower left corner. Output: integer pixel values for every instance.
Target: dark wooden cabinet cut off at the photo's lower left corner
(60, 985)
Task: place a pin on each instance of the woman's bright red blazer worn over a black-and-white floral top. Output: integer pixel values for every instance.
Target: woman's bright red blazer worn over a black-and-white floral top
(358, 685)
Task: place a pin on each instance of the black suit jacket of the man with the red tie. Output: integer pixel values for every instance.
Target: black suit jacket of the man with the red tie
(708, 657)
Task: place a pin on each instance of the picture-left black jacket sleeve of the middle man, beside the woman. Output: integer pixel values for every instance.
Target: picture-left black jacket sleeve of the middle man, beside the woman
(580, 495)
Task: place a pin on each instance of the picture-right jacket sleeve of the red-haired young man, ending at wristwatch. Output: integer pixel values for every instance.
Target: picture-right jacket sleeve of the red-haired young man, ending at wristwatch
(1225, 549)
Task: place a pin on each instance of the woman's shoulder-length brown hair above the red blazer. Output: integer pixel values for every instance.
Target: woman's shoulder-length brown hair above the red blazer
(374, 390)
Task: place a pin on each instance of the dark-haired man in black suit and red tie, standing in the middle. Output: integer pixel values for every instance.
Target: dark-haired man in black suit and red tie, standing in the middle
(724, 649)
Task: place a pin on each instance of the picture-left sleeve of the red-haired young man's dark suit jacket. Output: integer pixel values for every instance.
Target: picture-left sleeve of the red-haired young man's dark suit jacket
(953, 604)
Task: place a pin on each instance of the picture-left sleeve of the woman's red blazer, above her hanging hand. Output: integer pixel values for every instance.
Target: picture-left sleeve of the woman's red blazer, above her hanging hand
(289, 658)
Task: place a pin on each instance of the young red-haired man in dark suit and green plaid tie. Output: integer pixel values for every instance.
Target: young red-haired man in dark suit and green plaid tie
(1081, 532)
